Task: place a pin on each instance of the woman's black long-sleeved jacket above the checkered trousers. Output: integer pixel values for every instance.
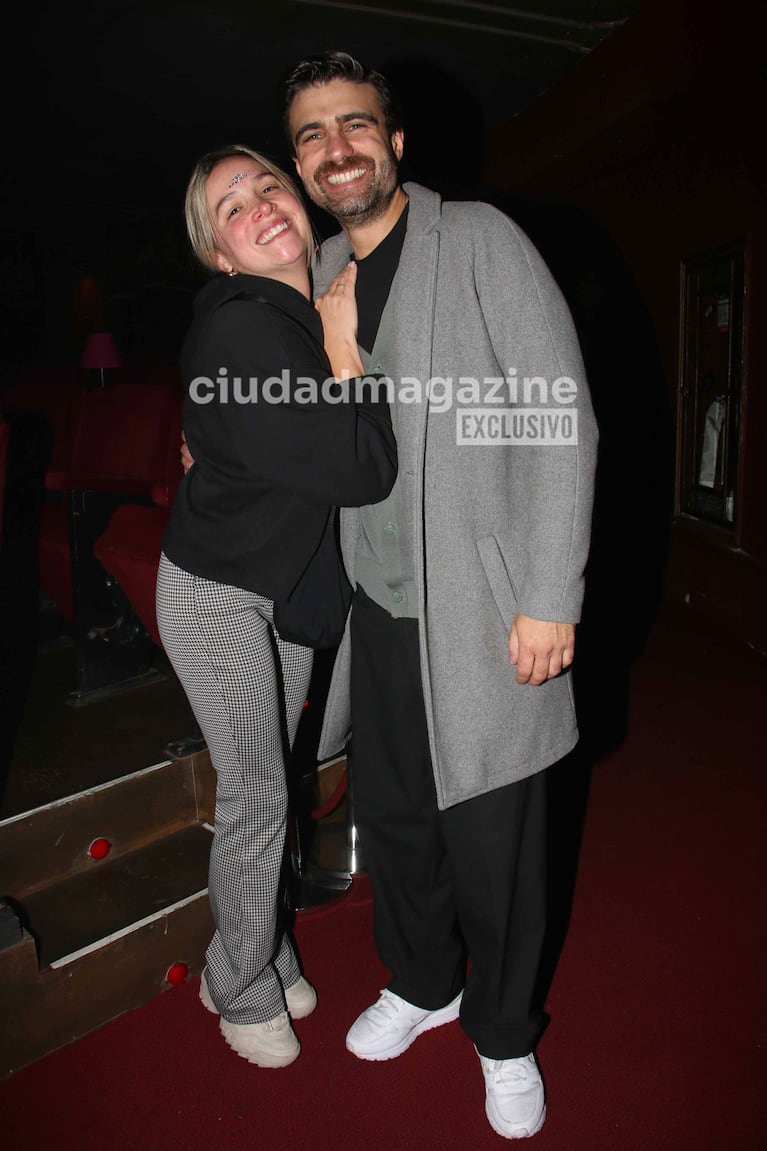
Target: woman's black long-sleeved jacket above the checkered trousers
(253, 508)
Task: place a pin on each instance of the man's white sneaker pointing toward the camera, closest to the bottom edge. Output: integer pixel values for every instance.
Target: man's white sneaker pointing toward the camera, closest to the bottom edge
(515, 1101)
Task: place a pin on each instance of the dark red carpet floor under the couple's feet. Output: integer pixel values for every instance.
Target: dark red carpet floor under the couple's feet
(658, 1031)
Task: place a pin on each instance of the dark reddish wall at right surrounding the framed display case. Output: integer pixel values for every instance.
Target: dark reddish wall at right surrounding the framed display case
(646, 157)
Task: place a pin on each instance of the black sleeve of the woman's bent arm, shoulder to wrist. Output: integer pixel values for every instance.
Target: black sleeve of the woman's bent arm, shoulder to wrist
(284, 425)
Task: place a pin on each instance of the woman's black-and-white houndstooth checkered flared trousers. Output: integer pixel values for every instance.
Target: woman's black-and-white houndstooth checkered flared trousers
(234, 670)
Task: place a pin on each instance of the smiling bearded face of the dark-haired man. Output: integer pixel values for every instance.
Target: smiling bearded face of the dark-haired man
(345, 157)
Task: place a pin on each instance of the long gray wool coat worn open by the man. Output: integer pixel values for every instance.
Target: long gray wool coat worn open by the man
(500, 529)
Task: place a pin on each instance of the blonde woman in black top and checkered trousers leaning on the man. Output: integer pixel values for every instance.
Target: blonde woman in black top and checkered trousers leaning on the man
(277, 447)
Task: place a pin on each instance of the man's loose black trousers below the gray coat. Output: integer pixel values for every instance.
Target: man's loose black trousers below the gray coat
(460, 895)
